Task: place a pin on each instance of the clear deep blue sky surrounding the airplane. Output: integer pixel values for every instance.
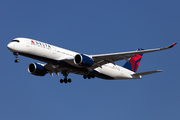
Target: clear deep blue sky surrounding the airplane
(91, 27)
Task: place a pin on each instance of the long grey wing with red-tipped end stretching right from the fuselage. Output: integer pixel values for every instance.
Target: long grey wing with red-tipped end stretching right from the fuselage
(102, 59)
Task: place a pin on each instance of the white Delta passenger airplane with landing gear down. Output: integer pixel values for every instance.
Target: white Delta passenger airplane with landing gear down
(60, 60)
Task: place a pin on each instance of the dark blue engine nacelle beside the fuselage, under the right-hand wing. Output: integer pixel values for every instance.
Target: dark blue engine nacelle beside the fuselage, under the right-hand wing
(83, 60)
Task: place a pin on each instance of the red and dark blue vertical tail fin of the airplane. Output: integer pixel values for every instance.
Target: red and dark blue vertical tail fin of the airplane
(134, 62)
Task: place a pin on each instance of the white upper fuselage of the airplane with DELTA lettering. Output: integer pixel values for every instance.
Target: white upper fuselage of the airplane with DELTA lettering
(41, 51)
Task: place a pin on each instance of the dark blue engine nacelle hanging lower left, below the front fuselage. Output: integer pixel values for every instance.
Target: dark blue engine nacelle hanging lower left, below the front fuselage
(37, 69)
